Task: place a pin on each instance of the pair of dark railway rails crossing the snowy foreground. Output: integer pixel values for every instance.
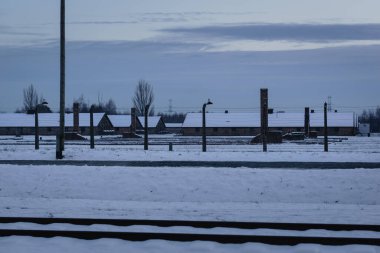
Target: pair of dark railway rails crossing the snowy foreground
(221, 238)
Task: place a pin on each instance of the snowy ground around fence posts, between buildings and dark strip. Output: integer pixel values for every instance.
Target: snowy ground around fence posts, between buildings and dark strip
(352, 149)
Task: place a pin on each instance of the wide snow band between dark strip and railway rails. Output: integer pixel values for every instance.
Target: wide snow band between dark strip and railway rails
(192, 193)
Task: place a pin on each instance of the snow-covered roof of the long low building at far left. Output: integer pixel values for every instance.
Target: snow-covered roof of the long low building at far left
(46, 119)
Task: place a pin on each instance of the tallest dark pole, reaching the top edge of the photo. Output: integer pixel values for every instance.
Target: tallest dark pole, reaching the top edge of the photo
(59, 152)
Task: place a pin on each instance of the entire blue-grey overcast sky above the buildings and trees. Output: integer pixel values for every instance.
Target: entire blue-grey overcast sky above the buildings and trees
(303, 51)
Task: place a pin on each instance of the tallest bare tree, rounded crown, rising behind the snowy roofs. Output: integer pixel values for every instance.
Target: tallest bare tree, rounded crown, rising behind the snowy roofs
(143, 96)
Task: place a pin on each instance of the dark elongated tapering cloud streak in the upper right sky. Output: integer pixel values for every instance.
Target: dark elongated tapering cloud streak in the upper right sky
(289, 32)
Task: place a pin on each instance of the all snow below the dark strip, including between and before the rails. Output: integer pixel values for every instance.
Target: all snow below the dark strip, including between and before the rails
(240, 194)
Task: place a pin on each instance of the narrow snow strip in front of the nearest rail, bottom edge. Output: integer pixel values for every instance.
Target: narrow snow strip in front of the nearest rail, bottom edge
(63, 245)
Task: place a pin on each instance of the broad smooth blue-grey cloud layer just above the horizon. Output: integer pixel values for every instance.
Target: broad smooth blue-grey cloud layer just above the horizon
(294, 78)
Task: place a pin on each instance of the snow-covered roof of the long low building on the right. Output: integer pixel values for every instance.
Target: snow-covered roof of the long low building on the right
(274, 120)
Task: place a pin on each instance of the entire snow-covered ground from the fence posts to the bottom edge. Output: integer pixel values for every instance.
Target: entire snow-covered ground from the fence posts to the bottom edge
(235, 194)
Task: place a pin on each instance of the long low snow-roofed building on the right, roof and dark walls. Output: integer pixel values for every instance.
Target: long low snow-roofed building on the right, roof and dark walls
(248, 124)
